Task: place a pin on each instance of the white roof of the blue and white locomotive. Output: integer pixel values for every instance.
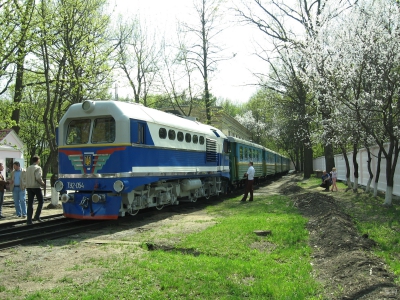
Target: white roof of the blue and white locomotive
(139, 112)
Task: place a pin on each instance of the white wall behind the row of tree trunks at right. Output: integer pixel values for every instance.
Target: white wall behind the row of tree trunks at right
(363, 176)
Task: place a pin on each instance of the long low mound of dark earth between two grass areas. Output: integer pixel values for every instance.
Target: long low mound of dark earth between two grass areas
(342, 257)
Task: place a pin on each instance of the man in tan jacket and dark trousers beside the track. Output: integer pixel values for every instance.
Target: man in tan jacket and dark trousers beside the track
(34, 182)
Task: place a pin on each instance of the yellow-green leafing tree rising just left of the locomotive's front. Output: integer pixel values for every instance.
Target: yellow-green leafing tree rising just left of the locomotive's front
(73, 51)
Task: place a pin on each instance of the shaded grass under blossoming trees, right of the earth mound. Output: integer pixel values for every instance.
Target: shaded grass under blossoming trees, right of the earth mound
(381, 223)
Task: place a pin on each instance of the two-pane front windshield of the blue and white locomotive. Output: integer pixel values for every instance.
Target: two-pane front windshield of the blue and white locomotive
(79, 131)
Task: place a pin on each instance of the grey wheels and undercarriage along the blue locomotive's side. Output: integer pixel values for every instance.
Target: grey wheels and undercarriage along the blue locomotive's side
(164, 193)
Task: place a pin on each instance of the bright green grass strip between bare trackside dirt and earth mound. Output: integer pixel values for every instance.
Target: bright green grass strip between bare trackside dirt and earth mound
(225, 261)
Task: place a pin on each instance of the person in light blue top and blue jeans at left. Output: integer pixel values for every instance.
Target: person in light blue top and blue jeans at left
(17, 187)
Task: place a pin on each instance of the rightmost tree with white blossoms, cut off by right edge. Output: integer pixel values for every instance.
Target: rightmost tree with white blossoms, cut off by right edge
(362, 76)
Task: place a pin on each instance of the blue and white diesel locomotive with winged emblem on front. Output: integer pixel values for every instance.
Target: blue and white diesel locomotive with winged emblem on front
(117, 158)
